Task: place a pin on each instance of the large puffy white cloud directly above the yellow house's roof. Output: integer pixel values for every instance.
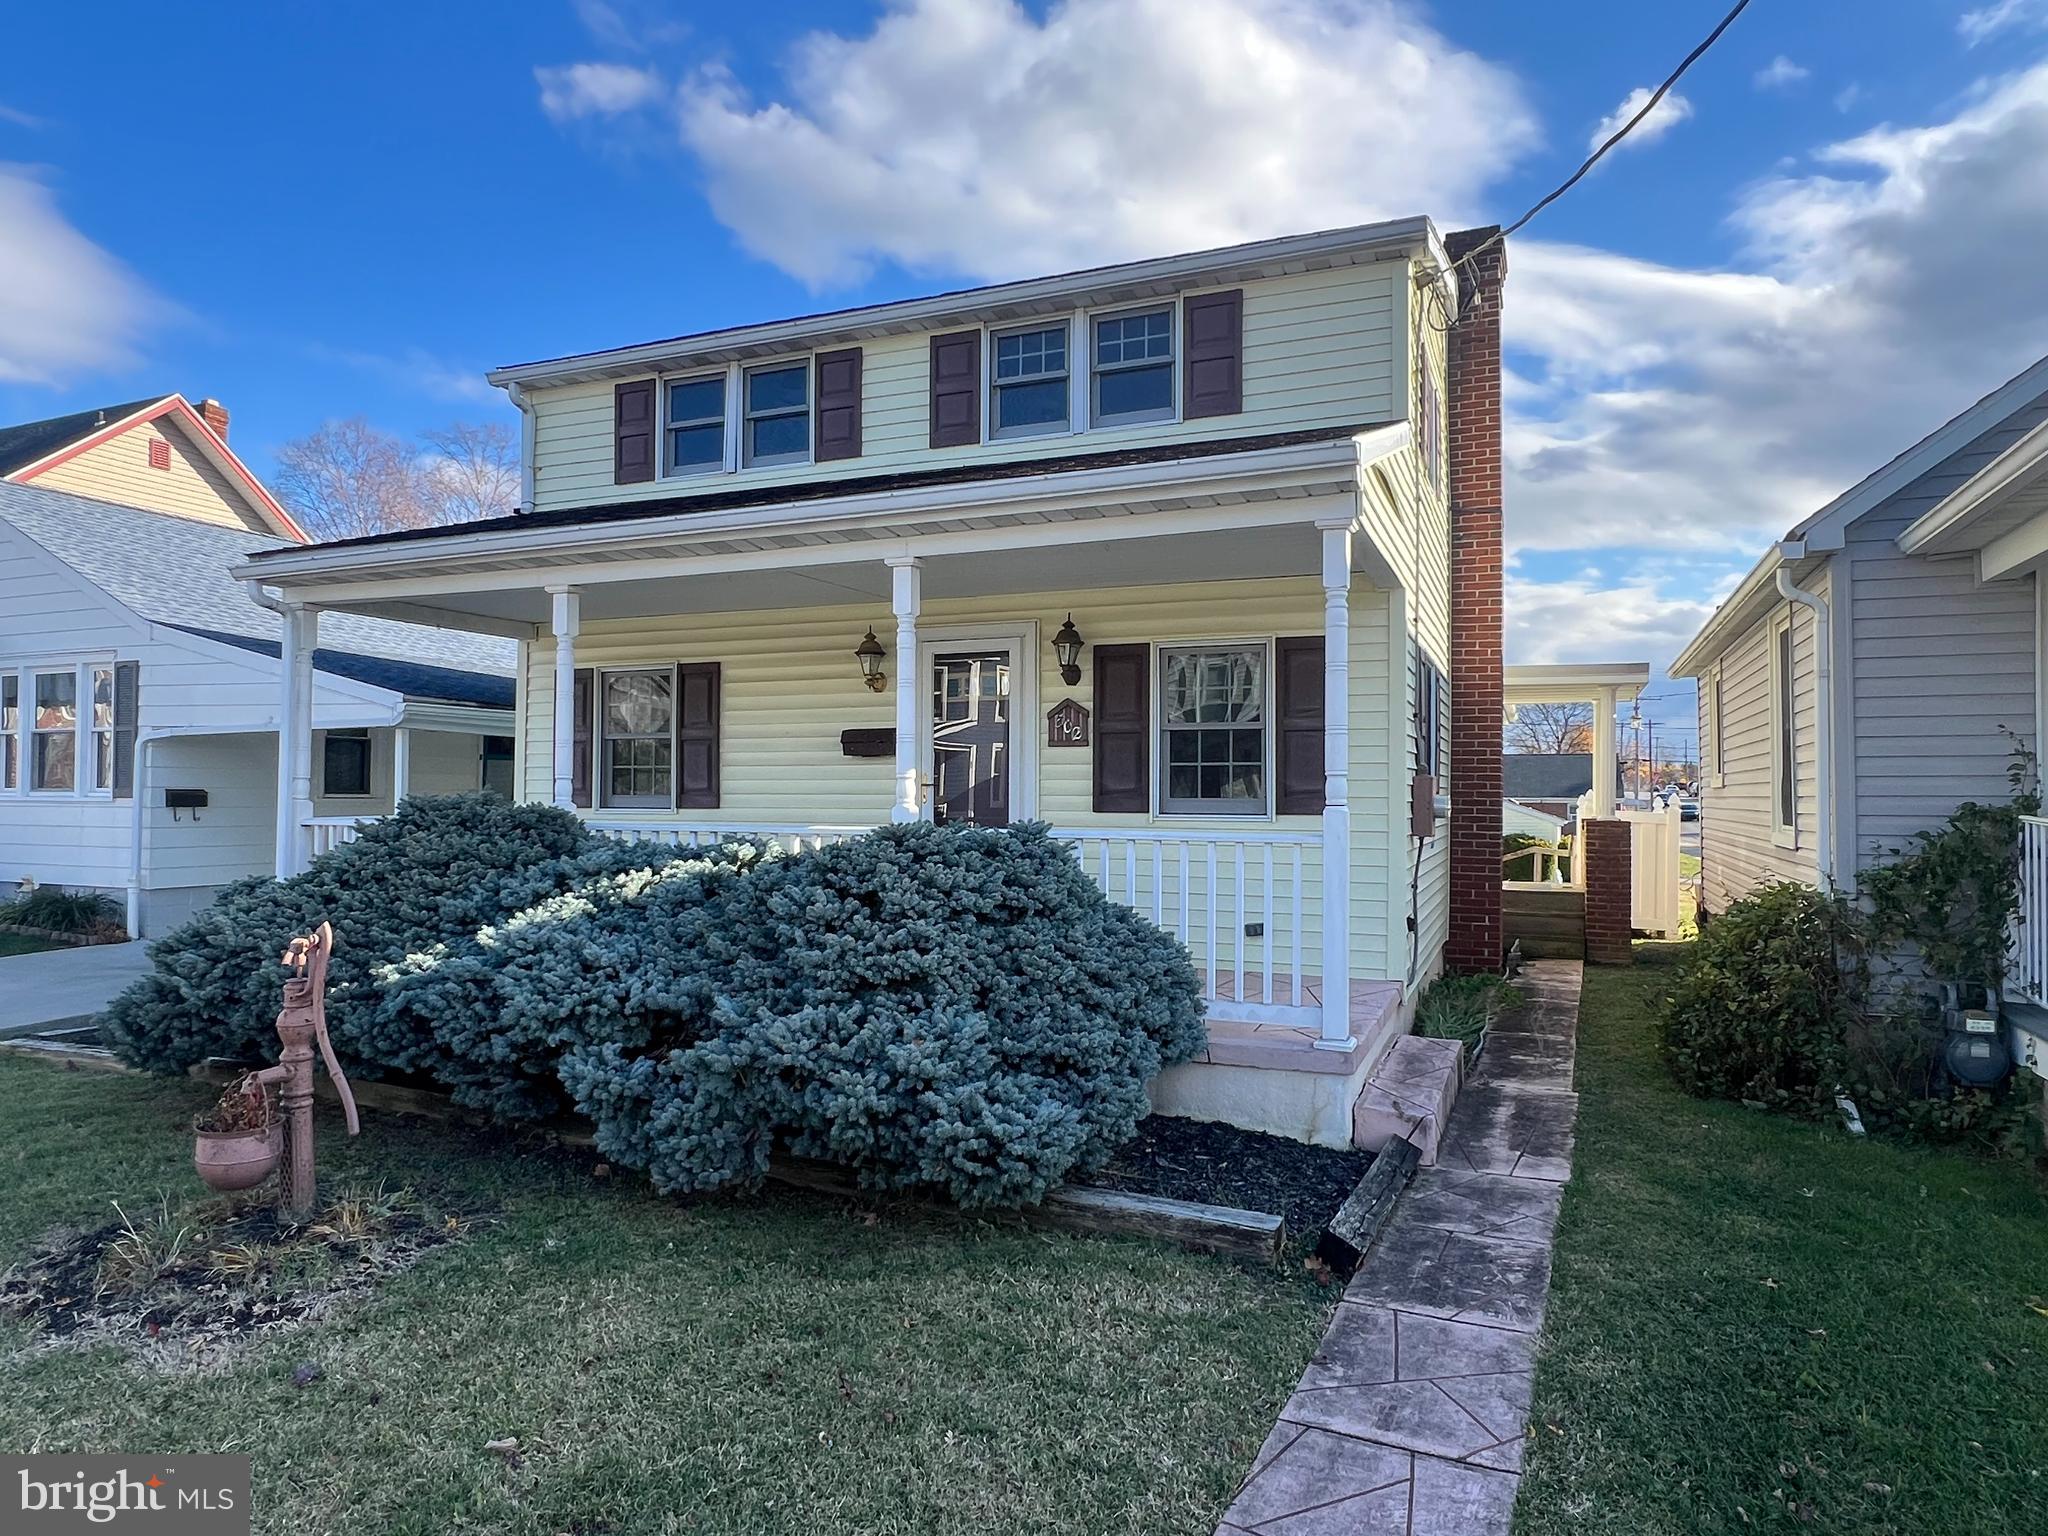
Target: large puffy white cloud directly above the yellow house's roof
(978, 138)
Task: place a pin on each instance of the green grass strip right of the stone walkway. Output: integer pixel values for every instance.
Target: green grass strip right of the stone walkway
(1766, 1324)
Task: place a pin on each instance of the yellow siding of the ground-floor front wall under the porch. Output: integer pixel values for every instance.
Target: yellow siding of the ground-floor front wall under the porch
(792, 687)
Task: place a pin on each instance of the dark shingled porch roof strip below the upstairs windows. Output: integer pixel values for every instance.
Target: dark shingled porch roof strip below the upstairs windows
(820, 490)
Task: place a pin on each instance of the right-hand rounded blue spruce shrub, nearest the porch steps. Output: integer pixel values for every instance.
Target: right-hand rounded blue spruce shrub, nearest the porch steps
(939, 1009)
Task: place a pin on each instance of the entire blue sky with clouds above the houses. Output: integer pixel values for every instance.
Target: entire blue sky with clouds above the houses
(321, 212)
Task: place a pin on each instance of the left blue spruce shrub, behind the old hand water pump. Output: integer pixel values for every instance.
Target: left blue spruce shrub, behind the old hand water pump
(435, 871)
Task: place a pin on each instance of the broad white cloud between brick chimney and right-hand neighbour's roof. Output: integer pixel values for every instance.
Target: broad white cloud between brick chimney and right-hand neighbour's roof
(1711, 411)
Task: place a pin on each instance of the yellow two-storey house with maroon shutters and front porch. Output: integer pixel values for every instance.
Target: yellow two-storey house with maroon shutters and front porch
(1158, 554)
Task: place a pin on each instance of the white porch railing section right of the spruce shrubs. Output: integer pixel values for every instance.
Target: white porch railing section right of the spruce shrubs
(1211, 890)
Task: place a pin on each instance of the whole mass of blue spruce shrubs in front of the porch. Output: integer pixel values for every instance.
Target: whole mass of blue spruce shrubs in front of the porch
(939, 1009)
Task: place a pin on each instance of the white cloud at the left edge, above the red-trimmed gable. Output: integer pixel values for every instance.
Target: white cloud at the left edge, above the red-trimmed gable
(67, 306)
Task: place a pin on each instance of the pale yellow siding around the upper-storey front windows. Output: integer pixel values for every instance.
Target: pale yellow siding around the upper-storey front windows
(1322, 349)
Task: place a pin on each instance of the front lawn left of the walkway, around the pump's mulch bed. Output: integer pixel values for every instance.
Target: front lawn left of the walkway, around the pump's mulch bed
(779, 1365)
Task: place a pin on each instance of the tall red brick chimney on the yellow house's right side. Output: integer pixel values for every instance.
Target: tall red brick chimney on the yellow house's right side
(1478, 701)
